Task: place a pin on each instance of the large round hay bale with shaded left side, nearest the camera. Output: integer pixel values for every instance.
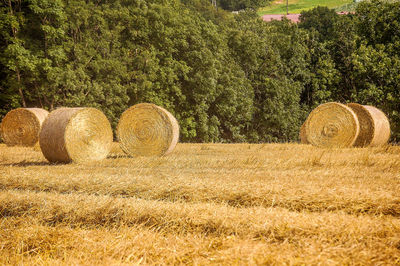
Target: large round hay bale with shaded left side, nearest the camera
(76, 134)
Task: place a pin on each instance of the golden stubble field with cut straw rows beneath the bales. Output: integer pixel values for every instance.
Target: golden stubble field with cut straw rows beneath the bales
(203, 204)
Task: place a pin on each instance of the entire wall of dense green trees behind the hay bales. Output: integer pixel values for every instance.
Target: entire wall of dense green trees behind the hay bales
(226, 77)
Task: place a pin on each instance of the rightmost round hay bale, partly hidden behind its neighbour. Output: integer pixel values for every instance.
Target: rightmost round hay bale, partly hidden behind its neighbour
(374, 126)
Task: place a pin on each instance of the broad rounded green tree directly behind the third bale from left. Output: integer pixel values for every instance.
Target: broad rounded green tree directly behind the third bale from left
(181, 63)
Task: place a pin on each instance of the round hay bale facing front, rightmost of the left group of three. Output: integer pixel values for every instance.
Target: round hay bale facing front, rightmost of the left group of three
(146, 129)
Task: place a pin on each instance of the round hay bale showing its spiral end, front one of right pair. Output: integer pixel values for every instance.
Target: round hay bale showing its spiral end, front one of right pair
(332, 125)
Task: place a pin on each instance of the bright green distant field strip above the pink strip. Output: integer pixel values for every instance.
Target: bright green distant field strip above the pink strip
(296, 6)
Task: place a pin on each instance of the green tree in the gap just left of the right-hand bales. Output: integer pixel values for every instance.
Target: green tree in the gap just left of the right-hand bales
(272, 57)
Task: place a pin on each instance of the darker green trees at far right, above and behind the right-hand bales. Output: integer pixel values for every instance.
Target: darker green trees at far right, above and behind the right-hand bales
(365, 49)
